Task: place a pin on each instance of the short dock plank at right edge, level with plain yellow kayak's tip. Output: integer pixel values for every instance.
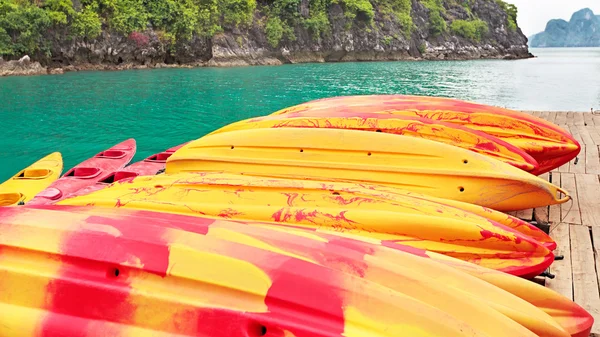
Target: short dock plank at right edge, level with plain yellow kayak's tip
(588, 193)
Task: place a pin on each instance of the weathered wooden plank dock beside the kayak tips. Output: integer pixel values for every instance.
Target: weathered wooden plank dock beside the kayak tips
(576, 225)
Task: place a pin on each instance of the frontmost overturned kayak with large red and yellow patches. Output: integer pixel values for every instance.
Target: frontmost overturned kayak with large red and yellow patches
(293, 284)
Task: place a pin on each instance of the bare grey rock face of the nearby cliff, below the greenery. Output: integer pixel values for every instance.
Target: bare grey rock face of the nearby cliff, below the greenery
(382, 39)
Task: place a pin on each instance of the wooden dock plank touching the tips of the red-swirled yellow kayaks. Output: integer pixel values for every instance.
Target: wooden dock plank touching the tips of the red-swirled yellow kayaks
(563, 283)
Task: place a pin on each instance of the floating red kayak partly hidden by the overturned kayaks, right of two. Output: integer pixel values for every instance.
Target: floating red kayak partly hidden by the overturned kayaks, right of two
(148, 167)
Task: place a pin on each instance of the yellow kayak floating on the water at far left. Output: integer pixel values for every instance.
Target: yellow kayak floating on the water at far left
(30, 181)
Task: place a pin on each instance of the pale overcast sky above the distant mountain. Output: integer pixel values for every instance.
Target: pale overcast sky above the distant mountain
(534, 14)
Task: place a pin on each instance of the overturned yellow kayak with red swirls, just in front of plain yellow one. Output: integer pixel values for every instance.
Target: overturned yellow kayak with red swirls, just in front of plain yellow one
(383, 198)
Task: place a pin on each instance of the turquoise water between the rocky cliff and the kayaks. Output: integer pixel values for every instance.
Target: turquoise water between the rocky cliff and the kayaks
(80, 114)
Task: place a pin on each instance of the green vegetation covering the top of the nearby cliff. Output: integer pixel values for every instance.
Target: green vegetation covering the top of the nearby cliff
(30, 26)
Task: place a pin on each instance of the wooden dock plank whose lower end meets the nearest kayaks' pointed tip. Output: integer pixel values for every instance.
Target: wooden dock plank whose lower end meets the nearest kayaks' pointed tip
(585, 282)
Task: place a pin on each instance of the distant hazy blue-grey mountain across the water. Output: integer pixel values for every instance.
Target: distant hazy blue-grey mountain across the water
(583, 30)
